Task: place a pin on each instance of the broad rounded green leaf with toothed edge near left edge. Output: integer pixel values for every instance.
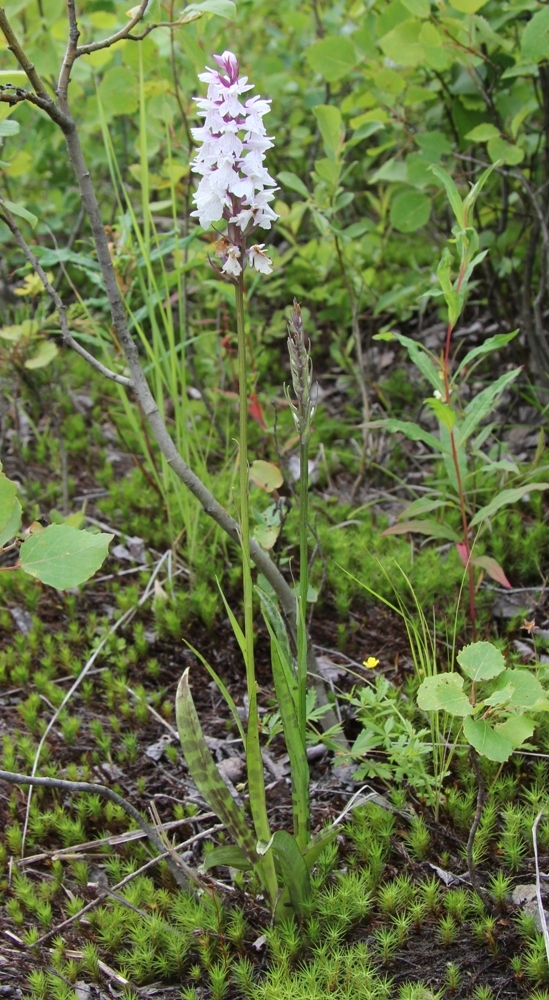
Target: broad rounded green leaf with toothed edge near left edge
(63, 557)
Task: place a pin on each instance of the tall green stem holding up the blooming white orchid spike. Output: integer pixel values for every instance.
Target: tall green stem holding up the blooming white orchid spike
(254, 762)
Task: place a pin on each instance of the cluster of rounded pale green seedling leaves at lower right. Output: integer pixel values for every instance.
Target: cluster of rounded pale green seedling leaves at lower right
(497, 704)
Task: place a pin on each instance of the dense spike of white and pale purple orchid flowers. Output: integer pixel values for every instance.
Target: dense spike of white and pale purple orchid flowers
(235, 185)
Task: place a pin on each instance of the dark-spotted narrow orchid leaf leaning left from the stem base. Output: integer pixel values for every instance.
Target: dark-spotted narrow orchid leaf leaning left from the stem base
(204, 773)
